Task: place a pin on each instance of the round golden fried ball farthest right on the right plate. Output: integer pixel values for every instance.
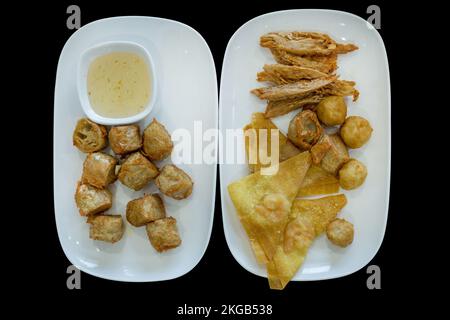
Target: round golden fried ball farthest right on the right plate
(355, 131)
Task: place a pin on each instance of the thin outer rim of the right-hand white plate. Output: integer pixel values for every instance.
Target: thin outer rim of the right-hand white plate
(223, 188)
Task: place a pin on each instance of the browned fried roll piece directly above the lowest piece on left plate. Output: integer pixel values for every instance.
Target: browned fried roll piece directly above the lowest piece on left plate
(144, 210)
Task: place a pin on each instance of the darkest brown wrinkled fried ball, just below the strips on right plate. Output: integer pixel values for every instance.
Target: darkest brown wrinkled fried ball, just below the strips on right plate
(304, 129)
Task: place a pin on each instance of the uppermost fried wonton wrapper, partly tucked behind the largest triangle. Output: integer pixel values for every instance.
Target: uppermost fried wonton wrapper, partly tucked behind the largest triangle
(286, 148)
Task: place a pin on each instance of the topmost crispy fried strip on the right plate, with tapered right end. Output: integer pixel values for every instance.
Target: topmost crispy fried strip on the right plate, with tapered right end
(304, 43)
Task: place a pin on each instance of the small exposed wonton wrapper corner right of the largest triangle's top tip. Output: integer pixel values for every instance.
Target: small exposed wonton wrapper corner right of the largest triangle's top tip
(317, 181)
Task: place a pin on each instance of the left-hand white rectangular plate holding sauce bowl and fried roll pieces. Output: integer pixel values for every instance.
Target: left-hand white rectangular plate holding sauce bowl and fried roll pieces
(187, 92)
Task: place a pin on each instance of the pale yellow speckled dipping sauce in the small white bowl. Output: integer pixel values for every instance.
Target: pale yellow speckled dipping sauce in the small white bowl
(118, 84)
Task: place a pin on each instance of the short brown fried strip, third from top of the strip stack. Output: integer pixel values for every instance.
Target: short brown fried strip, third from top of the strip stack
(283, 74)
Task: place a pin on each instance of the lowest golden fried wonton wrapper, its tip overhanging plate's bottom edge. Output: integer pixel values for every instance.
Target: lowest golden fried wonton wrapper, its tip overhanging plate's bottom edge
(308, 219)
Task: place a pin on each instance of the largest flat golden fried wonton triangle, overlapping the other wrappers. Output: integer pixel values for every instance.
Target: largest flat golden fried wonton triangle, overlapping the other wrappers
(263, 202)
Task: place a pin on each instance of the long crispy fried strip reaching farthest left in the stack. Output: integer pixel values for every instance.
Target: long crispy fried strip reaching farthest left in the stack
(297, 89)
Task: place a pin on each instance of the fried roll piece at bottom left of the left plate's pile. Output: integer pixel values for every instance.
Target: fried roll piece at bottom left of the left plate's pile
(107, 228)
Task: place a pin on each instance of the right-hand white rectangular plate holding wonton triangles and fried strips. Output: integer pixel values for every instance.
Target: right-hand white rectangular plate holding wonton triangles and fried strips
(367, 206)
